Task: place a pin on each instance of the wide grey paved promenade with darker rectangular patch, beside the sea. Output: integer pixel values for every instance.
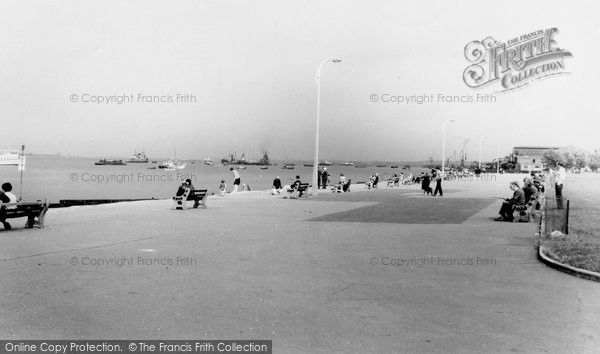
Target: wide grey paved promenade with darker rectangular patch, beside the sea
(385, 270)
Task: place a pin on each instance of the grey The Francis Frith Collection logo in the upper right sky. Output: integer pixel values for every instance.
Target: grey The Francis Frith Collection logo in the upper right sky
(515, 63)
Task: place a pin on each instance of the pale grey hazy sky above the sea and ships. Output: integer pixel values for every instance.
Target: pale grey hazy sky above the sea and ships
(250, 67)
